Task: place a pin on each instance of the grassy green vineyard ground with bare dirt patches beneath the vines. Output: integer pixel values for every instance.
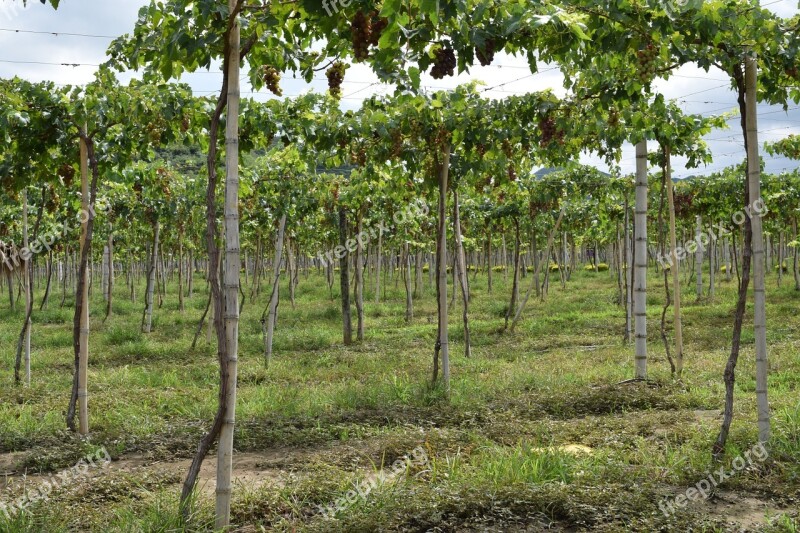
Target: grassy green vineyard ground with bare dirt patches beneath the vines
(542, 431)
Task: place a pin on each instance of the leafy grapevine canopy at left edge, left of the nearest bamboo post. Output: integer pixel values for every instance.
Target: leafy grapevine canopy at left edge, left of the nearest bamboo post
(40, 124)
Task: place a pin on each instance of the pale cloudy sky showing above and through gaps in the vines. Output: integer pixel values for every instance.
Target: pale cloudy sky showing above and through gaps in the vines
(79, 33)
